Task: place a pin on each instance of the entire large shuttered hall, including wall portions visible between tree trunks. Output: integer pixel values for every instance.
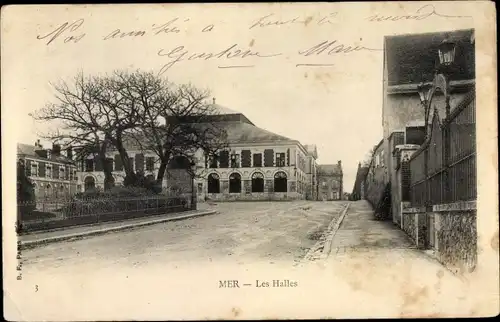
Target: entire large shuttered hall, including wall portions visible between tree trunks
(258, 165)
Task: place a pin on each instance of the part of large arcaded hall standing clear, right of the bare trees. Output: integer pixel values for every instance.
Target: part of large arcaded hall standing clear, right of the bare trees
(258, 165)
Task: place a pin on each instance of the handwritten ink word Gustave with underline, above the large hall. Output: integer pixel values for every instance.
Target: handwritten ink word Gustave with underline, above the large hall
(180, 53)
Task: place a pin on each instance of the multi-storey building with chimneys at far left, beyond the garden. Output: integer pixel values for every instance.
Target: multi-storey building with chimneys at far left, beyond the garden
(53, 174)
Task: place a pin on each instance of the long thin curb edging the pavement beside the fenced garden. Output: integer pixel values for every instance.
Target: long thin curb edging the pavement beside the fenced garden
(99, 231)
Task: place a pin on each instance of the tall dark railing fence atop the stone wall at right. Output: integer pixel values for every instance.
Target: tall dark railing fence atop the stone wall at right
(449, 177)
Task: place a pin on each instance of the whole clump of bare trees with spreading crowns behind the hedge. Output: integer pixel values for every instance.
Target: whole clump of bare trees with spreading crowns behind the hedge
(111, 111)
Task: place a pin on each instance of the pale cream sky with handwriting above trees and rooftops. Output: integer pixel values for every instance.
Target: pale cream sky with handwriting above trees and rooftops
(313, 73)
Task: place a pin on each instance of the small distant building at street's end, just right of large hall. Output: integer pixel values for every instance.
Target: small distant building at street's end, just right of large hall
(330, 181)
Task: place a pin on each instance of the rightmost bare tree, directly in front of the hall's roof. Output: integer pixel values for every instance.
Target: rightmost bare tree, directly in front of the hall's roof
(177, 123)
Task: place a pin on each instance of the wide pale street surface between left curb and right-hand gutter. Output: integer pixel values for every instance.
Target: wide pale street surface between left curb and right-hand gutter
(242, 232)
